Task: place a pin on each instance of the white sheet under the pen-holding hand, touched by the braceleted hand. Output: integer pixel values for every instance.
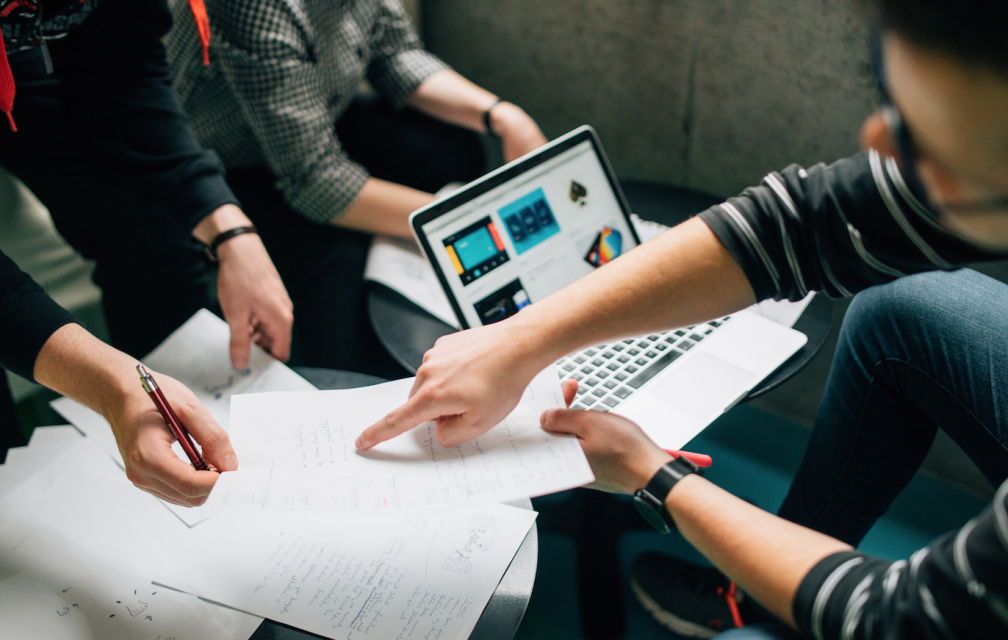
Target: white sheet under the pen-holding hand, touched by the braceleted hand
(198, 355)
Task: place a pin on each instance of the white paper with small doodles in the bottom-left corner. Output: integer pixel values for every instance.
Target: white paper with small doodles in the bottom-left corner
(79, 525)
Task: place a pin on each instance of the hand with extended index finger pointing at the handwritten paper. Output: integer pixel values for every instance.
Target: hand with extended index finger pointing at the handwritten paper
(469, 382)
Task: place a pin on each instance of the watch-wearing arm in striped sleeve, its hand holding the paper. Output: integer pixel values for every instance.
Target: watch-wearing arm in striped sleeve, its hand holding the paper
(955, 588)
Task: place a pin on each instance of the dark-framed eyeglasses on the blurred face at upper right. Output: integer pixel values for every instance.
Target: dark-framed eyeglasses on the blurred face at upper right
(908, 150)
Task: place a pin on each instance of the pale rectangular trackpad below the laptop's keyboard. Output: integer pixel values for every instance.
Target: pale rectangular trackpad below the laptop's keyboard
(702, 386)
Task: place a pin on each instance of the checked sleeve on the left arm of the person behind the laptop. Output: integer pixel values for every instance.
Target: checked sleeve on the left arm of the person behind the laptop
(265, 55)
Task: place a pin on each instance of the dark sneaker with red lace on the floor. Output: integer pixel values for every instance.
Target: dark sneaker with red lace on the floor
(693, 601)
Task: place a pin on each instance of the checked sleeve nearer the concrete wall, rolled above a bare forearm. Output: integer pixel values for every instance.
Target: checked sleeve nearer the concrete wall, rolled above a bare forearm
(400, 64)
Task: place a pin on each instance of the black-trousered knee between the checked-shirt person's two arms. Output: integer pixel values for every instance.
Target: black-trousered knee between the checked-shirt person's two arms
(409, 148)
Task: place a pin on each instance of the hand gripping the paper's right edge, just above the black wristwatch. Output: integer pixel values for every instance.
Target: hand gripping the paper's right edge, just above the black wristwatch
(622, 458)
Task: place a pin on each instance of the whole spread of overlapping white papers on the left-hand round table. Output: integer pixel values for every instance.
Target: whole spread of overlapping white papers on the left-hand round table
(402, 542)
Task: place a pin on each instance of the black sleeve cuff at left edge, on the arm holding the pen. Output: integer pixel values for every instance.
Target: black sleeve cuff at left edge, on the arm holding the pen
(28, 318)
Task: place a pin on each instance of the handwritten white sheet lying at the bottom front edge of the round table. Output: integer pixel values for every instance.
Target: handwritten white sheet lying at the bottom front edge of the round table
(349, 577)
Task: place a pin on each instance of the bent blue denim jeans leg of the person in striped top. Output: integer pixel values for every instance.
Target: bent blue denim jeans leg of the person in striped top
(924, 353)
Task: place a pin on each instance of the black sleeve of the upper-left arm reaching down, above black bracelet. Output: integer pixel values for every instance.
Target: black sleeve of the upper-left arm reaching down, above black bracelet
(115, 75)
